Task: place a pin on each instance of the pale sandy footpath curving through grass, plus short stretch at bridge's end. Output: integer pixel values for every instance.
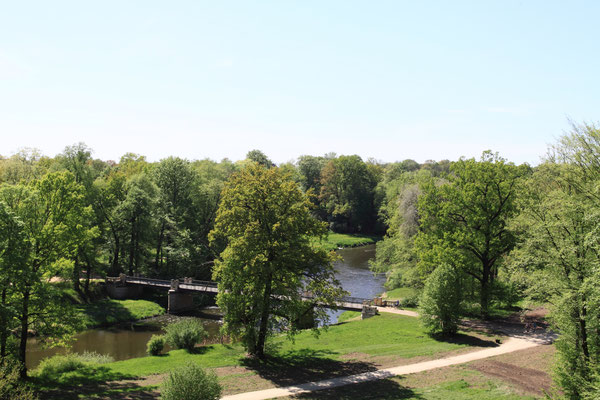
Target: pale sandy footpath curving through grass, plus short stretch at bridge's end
(514, 343)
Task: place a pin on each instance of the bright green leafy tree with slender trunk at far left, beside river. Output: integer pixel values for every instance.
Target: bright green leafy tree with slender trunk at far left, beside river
(52, 213)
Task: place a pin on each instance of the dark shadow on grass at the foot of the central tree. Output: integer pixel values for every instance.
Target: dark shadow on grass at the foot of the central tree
(304, 365)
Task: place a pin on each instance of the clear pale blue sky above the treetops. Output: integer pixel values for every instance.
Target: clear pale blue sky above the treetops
(384, 79)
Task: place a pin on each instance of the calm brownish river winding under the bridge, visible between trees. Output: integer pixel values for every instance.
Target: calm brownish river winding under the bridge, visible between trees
(129, 340)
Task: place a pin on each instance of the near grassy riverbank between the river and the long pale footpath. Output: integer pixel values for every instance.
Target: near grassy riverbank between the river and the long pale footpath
(343, 349)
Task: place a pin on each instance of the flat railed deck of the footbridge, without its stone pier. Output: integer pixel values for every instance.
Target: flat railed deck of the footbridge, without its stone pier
(345, 303)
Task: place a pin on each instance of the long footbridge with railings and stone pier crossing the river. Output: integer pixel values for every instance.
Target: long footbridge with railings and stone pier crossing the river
(181, 291)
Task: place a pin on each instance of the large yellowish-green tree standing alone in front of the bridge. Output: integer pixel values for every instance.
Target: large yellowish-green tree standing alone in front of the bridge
(269, 259)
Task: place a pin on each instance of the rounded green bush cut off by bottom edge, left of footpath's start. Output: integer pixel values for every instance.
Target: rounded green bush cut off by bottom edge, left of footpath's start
(191, 383)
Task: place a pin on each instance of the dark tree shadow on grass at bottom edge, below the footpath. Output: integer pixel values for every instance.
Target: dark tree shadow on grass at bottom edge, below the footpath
(375, 390)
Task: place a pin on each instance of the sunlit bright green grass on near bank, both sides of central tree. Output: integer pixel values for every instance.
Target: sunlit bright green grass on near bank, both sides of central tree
(382, 335)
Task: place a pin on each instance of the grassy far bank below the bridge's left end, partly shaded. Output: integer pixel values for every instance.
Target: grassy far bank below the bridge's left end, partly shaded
(108, 312)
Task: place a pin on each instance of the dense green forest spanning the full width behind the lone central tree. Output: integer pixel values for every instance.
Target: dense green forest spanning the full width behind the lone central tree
(503, 233)
